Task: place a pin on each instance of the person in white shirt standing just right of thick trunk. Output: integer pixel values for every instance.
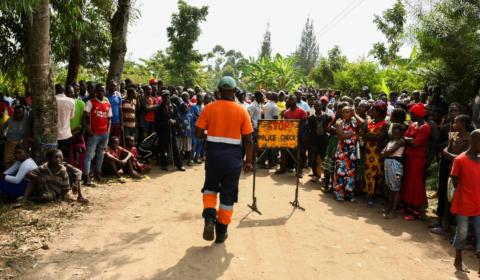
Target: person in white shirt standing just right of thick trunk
(66, 112)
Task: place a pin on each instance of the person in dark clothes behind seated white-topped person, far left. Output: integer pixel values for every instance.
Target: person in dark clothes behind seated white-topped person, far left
(15, 130)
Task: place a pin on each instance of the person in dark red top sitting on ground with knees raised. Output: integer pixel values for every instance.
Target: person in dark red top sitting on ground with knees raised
(117, 158)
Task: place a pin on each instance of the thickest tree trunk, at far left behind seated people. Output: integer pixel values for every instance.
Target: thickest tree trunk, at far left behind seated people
(44, 103)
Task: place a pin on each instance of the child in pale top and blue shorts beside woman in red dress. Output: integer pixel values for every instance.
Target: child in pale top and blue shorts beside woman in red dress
(394, 169)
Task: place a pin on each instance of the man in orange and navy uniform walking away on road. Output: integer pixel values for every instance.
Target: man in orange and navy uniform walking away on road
(227, 124)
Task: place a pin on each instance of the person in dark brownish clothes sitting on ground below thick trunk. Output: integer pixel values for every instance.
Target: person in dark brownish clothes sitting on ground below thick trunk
(51, 180)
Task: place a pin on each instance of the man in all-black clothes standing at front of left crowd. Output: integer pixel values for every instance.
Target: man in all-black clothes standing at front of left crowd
(166, 123)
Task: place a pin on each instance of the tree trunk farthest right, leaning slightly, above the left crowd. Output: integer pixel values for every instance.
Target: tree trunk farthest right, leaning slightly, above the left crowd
(118, 50)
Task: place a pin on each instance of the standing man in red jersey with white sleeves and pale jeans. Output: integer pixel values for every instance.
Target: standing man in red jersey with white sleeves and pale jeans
(100, 112)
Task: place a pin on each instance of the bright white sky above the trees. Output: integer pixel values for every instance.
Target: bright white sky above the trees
(240, 25)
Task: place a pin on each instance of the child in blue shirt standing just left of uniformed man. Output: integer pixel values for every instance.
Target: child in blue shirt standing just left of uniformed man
(185, 132)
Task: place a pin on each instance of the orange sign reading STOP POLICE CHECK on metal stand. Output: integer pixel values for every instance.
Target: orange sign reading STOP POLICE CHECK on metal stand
(277, 134)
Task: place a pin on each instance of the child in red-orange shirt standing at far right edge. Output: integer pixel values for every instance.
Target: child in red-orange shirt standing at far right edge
(466, 201)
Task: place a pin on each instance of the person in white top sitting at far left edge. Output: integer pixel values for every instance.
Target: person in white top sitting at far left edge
(11, 185)
